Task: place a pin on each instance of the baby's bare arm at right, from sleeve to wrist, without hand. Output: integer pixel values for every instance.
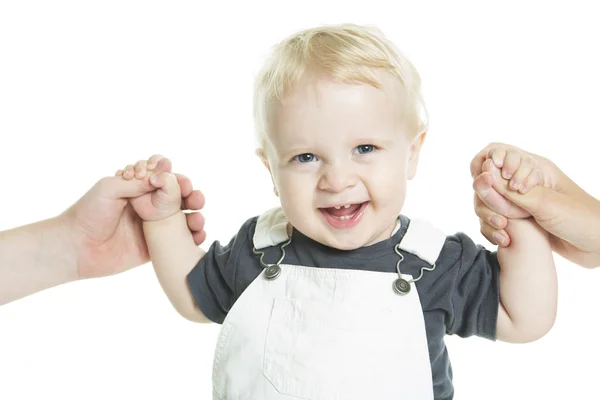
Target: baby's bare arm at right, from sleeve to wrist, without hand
(528, 284)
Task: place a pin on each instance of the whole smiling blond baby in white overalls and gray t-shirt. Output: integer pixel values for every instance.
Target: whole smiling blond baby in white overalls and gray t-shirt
(336, 294)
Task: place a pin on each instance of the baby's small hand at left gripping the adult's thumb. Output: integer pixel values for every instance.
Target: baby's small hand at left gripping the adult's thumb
(161, 202)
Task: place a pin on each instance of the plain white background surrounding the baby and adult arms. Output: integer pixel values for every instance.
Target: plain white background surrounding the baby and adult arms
(87, 87)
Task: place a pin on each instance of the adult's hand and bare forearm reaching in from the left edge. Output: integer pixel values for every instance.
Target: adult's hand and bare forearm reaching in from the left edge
(97, 236)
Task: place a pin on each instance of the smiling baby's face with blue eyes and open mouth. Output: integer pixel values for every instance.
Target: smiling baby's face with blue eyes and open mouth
(340, 158)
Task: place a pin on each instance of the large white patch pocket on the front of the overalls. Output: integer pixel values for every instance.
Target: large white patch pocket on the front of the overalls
(327, 351)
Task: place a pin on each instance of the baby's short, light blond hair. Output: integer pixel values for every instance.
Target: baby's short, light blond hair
(346, 53)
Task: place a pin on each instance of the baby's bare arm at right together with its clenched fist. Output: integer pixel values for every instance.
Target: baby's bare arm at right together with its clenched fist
(528, 283)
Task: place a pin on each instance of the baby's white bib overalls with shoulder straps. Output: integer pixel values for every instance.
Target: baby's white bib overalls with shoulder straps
(301, 332)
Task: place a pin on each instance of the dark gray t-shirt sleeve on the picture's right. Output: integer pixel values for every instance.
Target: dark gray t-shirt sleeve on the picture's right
(475, 293)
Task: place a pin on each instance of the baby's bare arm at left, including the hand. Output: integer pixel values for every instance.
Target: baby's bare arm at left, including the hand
(170, 243)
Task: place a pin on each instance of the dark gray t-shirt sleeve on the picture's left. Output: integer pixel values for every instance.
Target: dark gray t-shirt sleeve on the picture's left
(212, 282)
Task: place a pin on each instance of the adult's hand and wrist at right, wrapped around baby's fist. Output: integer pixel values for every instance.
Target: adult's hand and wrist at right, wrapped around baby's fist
(558, 205)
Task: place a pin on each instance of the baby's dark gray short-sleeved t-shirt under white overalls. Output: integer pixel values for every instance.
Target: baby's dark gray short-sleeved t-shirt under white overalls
(461, 296)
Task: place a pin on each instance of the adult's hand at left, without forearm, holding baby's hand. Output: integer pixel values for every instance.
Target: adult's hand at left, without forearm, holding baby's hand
(106, 234)
